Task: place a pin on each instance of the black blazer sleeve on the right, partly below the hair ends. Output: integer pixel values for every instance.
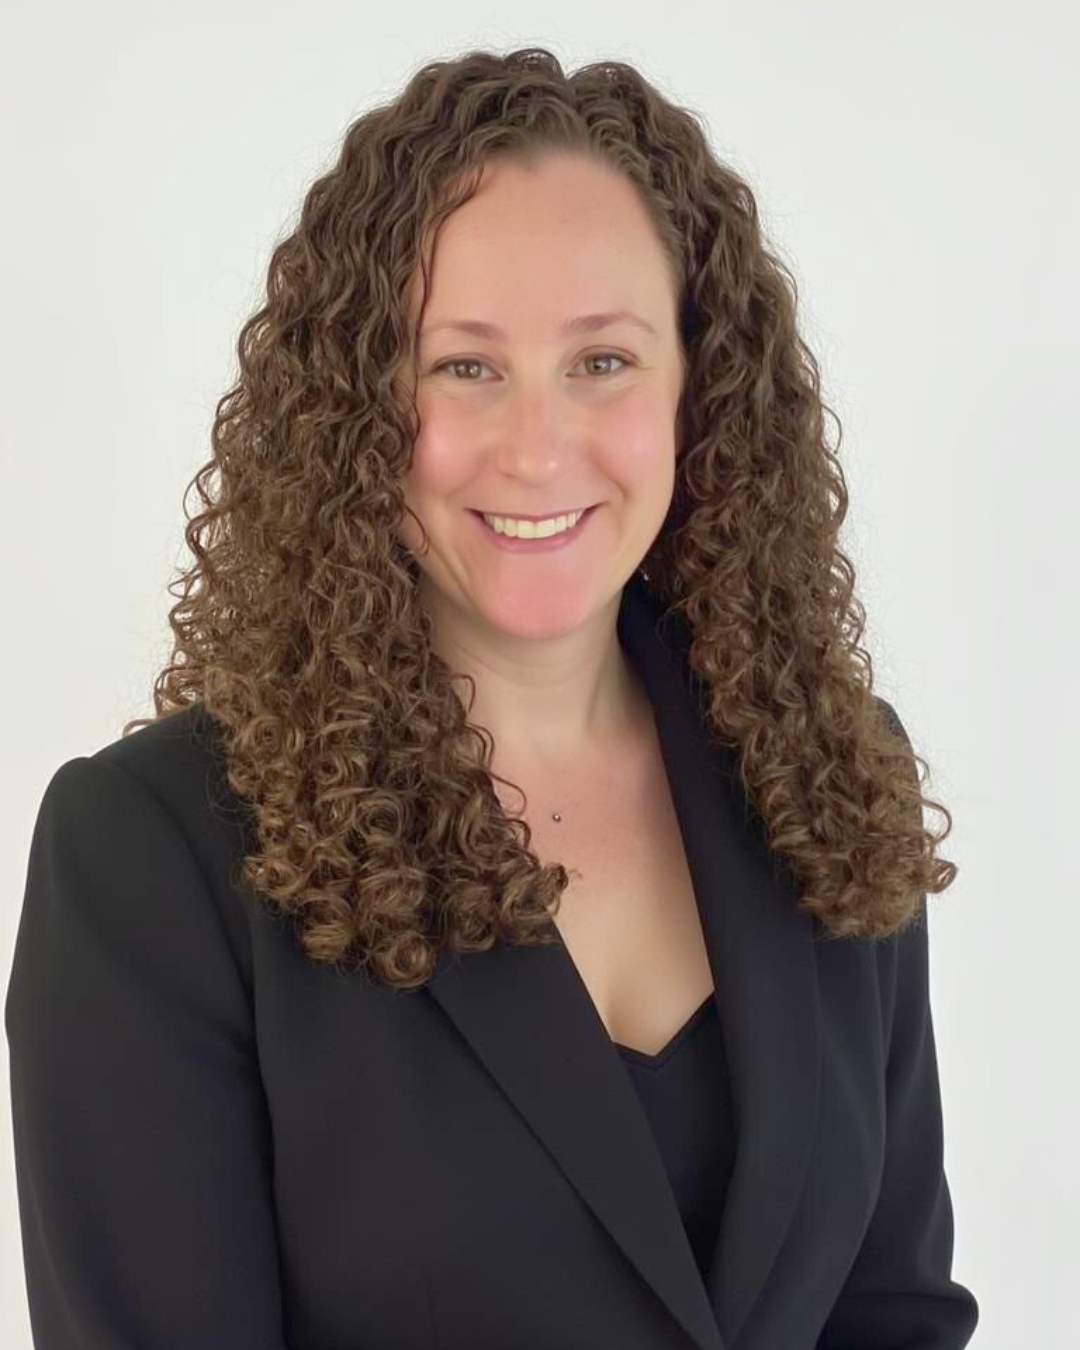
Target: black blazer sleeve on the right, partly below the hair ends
(900, 1294)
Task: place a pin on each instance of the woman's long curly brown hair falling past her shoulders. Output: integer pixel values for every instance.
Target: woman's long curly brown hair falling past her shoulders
(299, 628)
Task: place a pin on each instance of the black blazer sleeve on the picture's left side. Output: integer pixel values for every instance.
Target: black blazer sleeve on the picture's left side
(142, 1141)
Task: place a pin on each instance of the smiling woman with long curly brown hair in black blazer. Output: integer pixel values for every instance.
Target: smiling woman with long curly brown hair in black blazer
(503, 936)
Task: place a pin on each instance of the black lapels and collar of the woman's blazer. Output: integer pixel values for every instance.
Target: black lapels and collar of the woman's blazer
(527, 1015)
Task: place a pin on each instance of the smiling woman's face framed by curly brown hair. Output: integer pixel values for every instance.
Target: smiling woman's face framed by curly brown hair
(533, 418)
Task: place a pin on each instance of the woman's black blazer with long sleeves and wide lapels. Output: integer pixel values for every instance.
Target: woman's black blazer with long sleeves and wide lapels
(222, 1147)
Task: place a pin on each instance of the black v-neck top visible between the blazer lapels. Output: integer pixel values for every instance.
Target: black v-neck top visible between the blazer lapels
(686, 1096)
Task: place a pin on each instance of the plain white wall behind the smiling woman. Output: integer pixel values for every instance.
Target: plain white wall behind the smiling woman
(913, 165)
